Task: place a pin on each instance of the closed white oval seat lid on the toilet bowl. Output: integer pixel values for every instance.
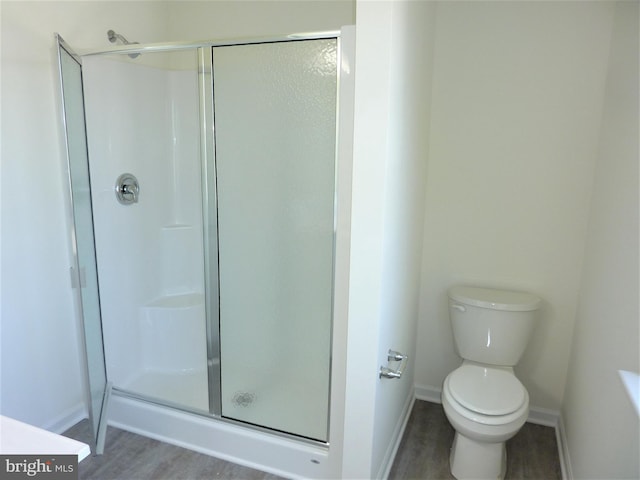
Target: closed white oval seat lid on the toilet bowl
(485, 390)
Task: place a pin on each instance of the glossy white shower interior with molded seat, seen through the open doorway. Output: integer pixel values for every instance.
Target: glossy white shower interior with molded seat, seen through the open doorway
(143, 124)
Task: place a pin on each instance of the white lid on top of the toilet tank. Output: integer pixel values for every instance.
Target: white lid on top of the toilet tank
(495, 299)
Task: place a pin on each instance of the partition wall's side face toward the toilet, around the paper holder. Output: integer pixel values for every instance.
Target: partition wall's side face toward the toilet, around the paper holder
(411, 48)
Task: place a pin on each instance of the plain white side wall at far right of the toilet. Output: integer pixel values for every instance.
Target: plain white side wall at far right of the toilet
(600, 422)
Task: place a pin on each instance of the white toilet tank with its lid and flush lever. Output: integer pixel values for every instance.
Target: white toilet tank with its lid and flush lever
(491, 326)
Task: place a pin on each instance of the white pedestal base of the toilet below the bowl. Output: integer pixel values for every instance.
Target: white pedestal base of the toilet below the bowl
(477, 460)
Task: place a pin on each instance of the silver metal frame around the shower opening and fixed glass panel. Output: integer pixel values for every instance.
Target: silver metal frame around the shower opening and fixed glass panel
(209, 213)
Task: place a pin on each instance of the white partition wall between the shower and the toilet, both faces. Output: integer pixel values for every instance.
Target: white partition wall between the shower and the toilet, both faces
(391, 118)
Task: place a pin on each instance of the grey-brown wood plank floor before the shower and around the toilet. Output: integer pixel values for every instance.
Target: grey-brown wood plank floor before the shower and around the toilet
(423, 454)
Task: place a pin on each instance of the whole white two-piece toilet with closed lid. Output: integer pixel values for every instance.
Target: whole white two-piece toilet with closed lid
(483, 400)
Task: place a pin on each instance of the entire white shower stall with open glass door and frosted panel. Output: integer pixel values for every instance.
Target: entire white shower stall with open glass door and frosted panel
(207, 193)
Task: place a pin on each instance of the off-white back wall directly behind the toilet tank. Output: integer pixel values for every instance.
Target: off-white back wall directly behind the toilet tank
(517, 95)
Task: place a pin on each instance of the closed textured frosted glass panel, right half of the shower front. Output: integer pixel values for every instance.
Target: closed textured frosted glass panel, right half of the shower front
(275, 130)
